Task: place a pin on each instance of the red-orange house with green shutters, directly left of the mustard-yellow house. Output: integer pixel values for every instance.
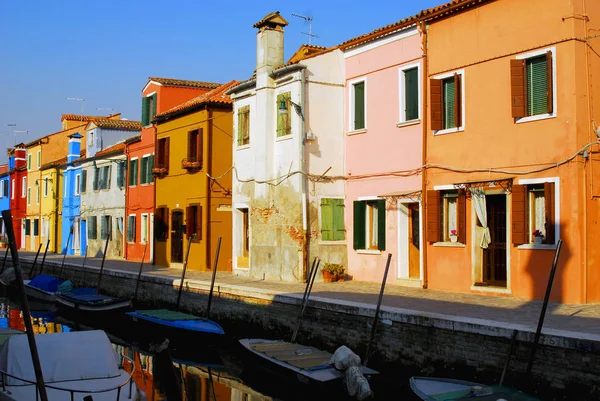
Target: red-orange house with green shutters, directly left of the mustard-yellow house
(159, 94)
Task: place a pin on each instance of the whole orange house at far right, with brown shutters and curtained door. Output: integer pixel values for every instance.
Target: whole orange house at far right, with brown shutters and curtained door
(512, 148)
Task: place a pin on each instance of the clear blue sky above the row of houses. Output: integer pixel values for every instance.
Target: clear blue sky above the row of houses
(104, 50)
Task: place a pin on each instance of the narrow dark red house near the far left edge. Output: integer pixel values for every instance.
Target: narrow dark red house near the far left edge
(18, 196)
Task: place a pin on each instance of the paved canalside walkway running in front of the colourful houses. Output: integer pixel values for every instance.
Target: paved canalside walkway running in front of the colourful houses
(580, 320)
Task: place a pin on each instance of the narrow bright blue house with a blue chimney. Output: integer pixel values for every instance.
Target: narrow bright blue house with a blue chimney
(73, 242)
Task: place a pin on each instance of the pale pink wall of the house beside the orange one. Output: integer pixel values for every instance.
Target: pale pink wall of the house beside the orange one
(382, 149)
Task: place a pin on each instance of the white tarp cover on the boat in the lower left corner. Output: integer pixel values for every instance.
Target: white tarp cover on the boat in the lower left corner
(66, 356)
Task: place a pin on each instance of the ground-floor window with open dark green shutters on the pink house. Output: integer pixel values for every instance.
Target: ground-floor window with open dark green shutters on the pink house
(369, 225)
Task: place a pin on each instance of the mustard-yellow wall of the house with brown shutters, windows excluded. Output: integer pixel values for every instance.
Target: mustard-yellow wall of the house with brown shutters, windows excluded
(181, 188)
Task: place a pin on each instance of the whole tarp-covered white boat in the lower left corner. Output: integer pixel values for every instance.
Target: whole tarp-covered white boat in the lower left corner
(74, 365)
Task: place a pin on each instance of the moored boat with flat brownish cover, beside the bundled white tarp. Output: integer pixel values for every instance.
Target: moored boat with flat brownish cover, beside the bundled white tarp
(308, 364)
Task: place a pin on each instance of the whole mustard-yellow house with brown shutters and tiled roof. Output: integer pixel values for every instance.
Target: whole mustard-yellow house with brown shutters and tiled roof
(192, 167)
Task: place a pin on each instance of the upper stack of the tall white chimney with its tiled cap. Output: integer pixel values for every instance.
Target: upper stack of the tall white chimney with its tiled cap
(269, 43)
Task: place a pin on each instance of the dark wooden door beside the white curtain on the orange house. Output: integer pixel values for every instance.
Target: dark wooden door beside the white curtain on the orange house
(494, 257)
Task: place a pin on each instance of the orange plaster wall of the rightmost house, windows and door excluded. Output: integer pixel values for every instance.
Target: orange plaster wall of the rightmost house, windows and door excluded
(482, 41)
